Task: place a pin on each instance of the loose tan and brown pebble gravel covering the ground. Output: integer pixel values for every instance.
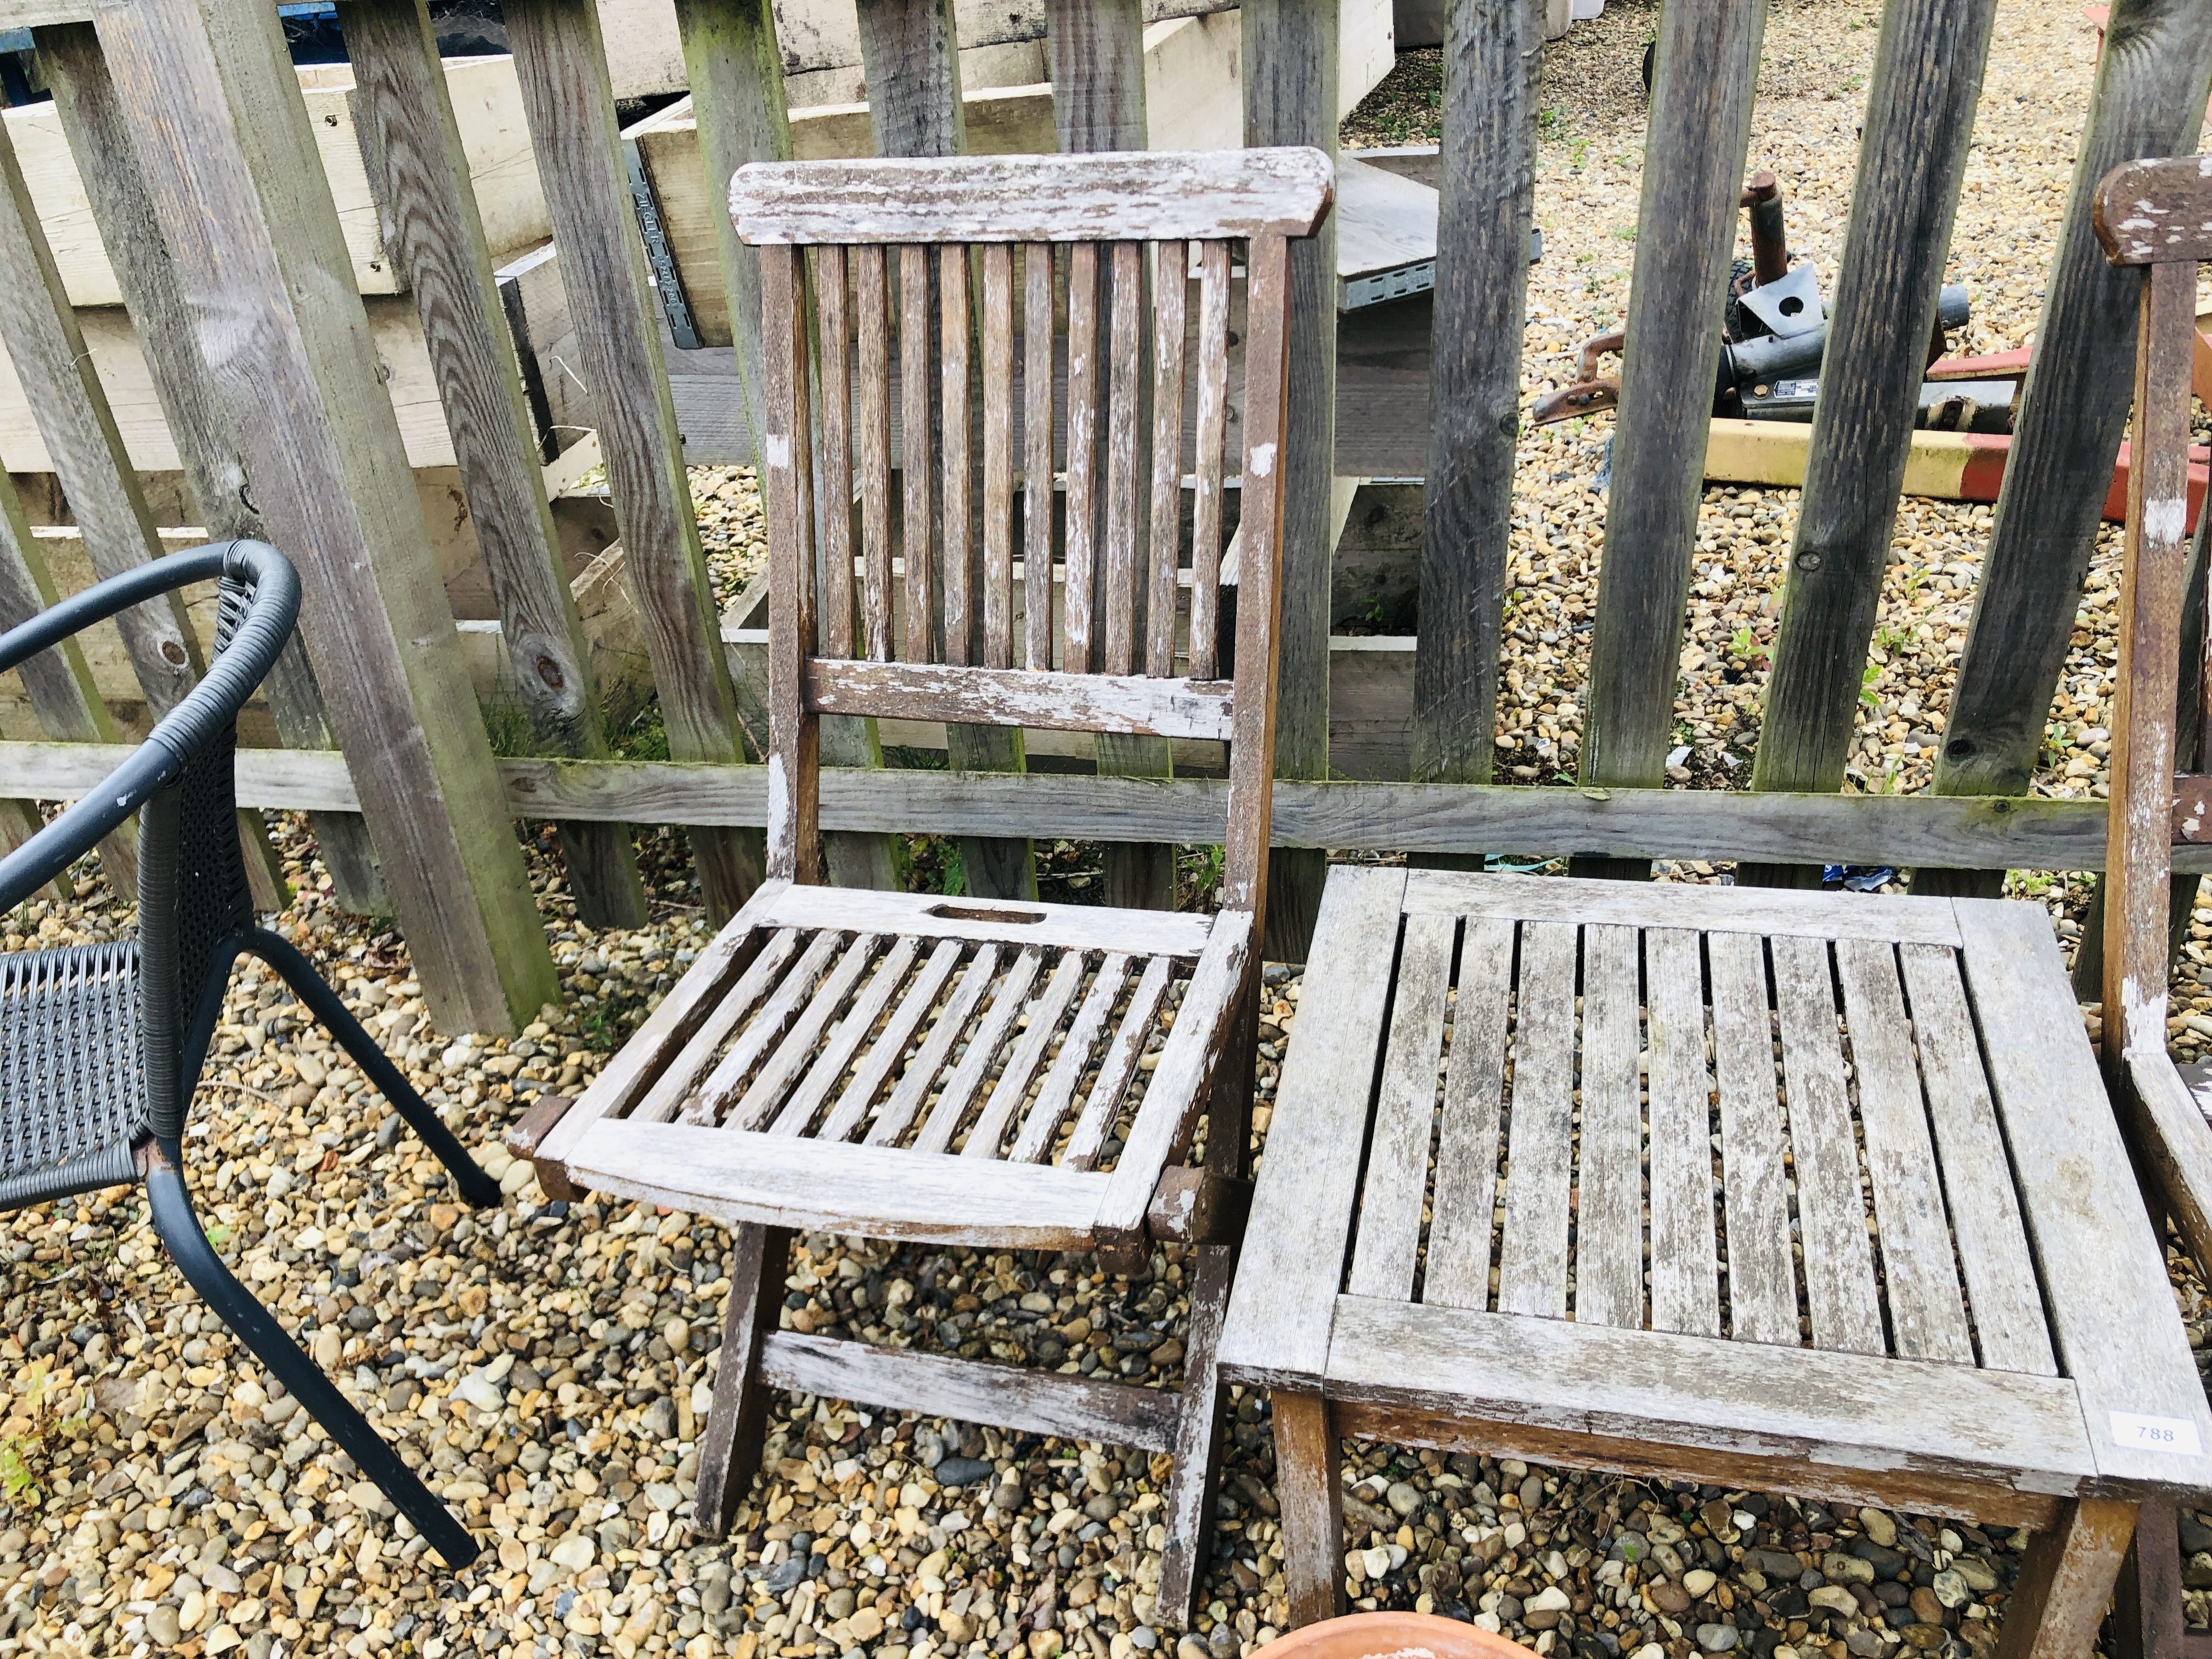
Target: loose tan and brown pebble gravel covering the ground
(550, 1366)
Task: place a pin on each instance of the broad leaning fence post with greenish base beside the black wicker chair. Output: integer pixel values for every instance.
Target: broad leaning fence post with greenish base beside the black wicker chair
(247, 211)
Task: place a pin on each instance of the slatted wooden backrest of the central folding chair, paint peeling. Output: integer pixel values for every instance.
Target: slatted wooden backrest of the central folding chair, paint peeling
(1134, 229)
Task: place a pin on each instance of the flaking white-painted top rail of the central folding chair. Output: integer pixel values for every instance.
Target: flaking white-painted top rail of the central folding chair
(1036, 198)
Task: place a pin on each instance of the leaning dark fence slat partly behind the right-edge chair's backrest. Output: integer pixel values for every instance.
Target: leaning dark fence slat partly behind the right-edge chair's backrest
(2149, 101)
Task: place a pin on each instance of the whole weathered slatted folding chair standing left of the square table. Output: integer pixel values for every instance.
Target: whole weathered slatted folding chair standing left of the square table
(970, 1074)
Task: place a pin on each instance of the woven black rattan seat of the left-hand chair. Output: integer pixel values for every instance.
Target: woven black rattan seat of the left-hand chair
(72, 1074)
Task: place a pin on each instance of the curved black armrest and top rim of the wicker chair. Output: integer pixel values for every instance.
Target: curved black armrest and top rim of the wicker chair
(211, 707)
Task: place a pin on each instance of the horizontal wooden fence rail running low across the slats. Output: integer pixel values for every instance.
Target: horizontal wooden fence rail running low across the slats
(1952, 833)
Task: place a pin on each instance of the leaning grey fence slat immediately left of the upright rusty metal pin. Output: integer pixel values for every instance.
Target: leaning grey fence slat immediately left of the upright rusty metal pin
(1693, 180)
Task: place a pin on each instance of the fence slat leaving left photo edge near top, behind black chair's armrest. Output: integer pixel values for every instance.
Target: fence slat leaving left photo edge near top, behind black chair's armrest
(72, 413)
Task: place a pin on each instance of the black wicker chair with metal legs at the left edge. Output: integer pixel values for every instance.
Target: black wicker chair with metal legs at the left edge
(101, 1047)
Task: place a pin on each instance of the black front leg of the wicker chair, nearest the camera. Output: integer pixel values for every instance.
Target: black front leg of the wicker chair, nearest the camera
(242, 1313)
